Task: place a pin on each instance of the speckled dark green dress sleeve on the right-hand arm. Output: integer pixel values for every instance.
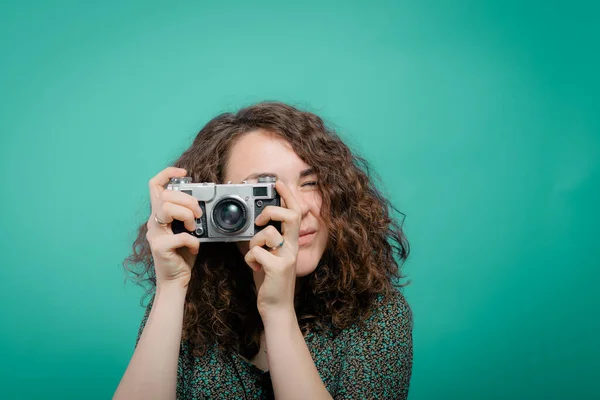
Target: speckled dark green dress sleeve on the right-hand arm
(378, 359)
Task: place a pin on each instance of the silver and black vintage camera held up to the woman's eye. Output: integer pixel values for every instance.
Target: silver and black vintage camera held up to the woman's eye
(228, 210)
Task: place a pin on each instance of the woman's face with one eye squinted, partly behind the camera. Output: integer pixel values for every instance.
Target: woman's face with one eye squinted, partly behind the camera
(260, 153)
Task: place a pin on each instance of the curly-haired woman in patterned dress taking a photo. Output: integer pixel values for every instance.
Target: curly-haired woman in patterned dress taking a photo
(310, 312)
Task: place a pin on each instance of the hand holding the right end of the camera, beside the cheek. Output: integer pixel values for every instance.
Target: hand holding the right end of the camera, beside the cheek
(274, 270)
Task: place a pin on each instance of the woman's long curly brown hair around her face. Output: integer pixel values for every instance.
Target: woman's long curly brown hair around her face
(365, 251)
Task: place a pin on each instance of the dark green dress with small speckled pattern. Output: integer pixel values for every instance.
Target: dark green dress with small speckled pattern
(372, 361)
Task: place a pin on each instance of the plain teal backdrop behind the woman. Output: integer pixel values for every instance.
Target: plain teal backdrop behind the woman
(480, 117)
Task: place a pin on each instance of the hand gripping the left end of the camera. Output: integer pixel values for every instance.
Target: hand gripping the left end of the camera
(174, 254)
